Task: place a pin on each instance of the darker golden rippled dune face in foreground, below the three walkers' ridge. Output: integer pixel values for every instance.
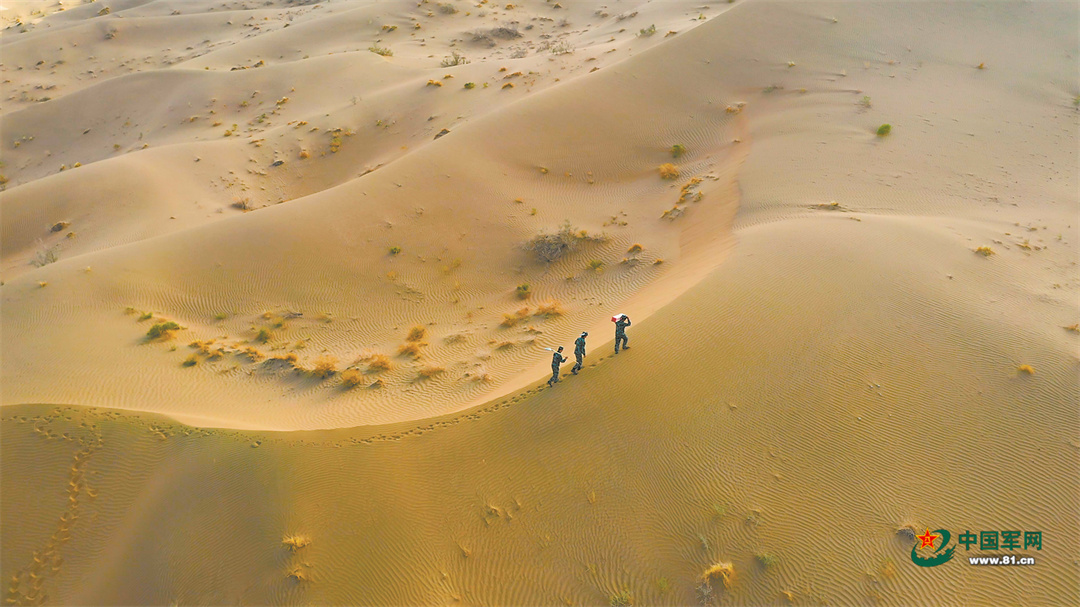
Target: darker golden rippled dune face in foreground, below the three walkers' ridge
(787, 444)
